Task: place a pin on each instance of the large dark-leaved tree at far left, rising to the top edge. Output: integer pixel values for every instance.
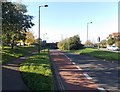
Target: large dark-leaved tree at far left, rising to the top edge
(14, 21)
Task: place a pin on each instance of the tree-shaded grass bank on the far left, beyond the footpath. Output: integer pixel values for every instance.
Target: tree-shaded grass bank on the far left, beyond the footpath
(9, 54)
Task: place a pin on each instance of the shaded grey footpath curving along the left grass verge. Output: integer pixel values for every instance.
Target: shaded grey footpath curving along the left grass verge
(11, 77)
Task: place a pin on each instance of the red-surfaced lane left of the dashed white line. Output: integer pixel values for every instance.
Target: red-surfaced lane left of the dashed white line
(69, 77)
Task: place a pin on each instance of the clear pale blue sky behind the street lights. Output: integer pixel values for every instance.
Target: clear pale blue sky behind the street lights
(65, 19)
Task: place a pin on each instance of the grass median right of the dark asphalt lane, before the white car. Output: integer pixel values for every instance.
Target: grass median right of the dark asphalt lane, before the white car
(98, 53)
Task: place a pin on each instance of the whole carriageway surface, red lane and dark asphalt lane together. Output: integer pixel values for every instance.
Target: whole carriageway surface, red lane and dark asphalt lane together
(93, 72)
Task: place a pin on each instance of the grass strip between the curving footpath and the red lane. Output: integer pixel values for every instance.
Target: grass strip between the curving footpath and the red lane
(36, 72)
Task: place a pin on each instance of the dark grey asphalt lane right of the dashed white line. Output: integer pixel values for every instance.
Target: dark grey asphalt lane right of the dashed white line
(103, 73)
